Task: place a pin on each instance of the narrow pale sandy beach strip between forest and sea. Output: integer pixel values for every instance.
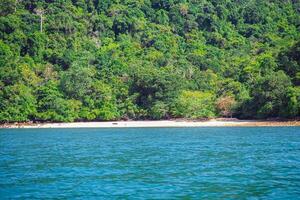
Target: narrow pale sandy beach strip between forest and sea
(158, 124)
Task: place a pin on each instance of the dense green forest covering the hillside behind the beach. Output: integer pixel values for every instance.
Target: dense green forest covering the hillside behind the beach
(85, 60)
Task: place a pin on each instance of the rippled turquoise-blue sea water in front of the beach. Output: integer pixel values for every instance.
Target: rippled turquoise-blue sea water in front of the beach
(157, 163)
